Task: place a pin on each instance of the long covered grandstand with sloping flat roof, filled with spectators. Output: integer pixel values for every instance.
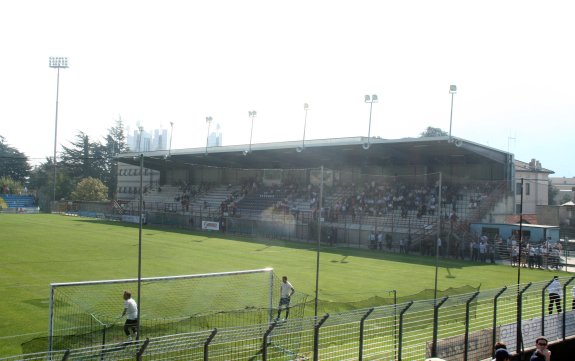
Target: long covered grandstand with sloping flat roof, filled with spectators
(382, 194)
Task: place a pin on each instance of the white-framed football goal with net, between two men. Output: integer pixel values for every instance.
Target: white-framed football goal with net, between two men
(88, 313)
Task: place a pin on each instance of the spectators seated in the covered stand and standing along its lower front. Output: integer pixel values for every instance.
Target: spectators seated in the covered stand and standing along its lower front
(378, 199)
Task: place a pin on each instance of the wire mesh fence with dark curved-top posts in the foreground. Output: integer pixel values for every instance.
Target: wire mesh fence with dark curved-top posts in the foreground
(462, 327)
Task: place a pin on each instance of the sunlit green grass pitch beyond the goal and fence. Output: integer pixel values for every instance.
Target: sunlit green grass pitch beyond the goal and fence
(36, 250)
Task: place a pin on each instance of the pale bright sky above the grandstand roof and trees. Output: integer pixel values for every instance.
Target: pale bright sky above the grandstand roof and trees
(156, 62)
